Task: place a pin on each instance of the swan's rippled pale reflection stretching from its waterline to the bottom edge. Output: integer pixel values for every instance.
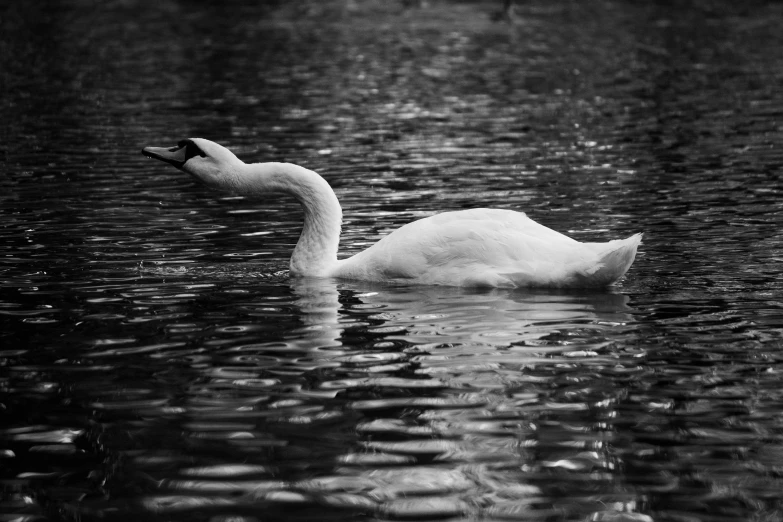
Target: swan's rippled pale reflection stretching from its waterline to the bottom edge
(525, 390)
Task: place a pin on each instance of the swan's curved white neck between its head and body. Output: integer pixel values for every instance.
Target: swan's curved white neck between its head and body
(316, 251)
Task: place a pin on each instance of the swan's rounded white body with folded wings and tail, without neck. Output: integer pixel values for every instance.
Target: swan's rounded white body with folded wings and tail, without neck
(489, 247)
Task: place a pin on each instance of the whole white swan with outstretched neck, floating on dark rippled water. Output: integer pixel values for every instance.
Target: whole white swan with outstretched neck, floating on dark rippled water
(469, 248)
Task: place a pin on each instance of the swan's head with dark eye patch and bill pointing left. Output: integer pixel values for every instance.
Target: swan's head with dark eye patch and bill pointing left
(210, 163)
